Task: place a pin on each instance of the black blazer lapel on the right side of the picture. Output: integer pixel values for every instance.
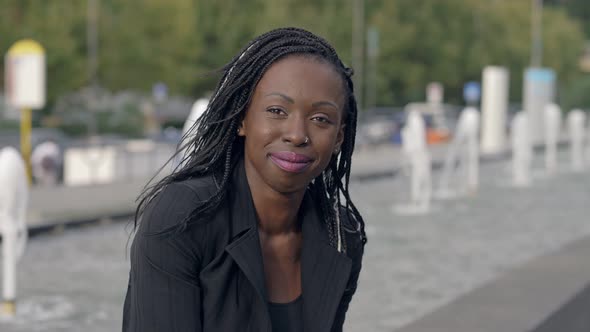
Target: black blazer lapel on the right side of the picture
(324, 272)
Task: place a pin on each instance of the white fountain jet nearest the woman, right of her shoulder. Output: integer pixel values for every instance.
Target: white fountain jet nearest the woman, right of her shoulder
(416, 151)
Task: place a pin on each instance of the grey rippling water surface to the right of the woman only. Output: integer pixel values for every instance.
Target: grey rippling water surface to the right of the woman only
(415, 264)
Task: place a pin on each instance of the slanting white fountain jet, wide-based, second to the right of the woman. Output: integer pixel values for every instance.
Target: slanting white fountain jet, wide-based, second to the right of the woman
(464, 149)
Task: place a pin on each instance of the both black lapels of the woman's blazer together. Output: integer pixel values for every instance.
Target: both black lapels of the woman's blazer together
(324, 270)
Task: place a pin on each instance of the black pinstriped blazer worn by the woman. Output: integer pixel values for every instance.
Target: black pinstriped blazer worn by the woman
(211, 277)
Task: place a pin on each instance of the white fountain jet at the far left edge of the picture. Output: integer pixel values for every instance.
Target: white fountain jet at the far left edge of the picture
(14, 194)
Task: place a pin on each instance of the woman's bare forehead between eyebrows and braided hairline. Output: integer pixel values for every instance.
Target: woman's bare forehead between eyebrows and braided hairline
(301, 76)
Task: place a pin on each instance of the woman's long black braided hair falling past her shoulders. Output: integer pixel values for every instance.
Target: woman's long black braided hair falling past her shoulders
(212, 145)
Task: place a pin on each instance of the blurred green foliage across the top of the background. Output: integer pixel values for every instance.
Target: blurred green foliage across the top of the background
(178, 42)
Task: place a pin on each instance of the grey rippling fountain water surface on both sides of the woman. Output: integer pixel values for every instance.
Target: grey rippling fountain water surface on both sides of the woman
(76, 281)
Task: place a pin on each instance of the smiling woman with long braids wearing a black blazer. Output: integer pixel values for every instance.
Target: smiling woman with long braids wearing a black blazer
(255, 230)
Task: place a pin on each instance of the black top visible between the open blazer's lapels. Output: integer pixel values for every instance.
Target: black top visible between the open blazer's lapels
(286, 317)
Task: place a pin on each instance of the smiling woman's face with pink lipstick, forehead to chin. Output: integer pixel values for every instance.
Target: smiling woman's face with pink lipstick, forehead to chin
(293, 125)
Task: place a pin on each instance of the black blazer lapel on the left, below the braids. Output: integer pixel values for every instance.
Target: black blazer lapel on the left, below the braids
(245, 245)
